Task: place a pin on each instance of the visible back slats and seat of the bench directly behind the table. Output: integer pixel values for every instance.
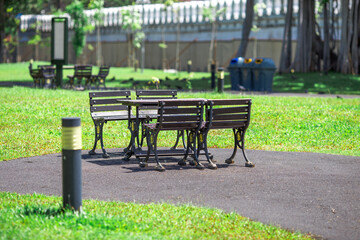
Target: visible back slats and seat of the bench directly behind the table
(153, 94)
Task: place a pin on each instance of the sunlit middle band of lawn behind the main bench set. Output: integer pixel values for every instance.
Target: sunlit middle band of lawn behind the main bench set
(31, 123)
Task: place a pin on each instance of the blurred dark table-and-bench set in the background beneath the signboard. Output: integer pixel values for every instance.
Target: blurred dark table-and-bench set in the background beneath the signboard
(44, 76)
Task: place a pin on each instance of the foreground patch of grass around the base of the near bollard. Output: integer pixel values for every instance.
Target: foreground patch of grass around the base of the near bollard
(41, 217)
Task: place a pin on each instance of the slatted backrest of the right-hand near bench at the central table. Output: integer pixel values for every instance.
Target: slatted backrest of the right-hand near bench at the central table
(228, 113)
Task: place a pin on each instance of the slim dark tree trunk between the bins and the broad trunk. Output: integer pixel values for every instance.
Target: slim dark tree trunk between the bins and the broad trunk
(285, 61)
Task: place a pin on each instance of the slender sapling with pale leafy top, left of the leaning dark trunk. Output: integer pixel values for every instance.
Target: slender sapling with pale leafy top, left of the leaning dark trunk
(212, 13)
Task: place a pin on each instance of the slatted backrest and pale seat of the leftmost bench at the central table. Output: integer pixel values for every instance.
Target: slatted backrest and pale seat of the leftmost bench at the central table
(105, 103)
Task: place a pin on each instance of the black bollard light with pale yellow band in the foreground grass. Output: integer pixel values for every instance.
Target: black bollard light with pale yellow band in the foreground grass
(71, 163)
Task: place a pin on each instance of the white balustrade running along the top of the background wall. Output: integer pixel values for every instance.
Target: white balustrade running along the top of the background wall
(157, 14)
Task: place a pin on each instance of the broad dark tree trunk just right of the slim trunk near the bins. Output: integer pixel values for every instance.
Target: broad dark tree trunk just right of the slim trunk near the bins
(304, 57)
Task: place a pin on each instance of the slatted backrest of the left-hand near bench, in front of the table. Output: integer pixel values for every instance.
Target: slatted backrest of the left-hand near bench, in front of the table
(180, 114)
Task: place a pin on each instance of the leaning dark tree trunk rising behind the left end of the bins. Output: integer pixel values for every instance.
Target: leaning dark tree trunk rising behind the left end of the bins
(247, 25)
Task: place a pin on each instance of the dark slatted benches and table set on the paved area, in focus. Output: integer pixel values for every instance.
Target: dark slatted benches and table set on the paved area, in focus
(154, 111)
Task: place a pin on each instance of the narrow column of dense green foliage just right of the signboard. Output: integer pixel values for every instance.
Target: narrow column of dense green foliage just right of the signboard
(81, 26)
